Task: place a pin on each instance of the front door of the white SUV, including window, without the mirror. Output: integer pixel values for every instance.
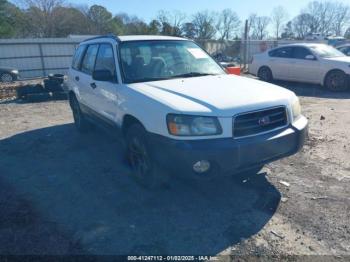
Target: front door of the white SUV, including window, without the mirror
(106, 91)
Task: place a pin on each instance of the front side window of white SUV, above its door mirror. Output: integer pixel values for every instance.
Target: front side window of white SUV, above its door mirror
(105, 59)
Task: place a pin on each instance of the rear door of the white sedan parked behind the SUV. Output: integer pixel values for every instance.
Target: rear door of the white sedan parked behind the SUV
(280, 61)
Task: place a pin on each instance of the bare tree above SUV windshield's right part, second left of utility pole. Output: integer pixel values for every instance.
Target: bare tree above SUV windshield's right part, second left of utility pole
(203, 22)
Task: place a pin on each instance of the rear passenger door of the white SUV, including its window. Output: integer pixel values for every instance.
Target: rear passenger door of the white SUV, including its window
(86, 88)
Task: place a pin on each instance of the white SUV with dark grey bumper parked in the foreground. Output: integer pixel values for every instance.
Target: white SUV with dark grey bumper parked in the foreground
(178, 109)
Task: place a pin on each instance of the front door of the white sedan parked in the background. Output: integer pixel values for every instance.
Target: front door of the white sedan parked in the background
(303, 69)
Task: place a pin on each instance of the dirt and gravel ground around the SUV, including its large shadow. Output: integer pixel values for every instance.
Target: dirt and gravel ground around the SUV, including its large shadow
(65, 193)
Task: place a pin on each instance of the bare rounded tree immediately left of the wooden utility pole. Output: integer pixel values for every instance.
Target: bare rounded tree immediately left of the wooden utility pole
(228, 24)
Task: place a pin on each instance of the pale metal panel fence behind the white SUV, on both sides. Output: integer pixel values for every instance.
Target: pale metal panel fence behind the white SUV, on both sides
(40, 57)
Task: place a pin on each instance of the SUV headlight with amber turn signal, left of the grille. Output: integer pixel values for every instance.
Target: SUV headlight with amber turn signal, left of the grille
(186, 125)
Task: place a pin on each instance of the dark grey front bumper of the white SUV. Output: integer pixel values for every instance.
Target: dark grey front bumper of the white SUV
(228, 155)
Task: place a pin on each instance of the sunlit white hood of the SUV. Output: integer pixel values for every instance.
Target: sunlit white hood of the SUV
(224, 95)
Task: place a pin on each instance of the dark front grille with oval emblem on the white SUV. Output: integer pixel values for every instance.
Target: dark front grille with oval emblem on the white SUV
(257, 122)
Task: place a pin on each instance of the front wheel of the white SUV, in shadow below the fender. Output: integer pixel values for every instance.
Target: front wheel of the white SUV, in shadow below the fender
(144, 170)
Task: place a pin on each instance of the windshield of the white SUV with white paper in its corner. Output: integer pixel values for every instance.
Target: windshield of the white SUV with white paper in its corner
(144, 61)
